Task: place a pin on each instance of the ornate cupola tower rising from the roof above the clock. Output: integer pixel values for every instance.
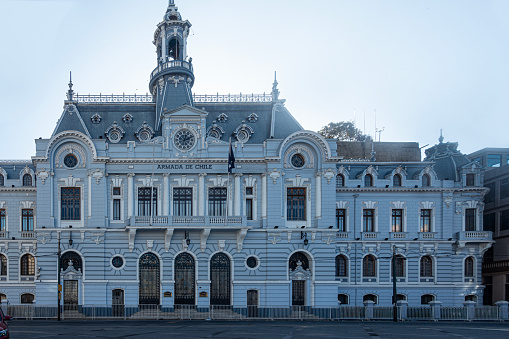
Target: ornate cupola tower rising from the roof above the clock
(171, 81)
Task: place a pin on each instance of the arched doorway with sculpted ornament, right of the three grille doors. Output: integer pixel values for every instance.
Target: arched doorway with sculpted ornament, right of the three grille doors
(299, 273)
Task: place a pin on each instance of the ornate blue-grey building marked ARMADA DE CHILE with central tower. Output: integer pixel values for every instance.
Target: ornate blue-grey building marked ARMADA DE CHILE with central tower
(135, 193)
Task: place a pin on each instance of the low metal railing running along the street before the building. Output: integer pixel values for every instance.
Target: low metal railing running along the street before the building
(190, 312)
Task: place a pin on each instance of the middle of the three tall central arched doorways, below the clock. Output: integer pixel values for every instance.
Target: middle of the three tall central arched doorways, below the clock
(184, 279)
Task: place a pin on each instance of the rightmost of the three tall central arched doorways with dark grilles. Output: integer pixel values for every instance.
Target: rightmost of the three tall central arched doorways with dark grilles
(220, 279)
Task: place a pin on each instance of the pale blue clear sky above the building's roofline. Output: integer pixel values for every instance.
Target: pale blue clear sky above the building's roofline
(422, 65)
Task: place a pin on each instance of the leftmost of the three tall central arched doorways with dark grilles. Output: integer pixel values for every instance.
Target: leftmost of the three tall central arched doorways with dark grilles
(149, 274)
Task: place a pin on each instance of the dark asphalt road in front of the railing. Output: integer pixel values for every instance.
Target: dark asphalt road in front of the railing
(253, 329)
